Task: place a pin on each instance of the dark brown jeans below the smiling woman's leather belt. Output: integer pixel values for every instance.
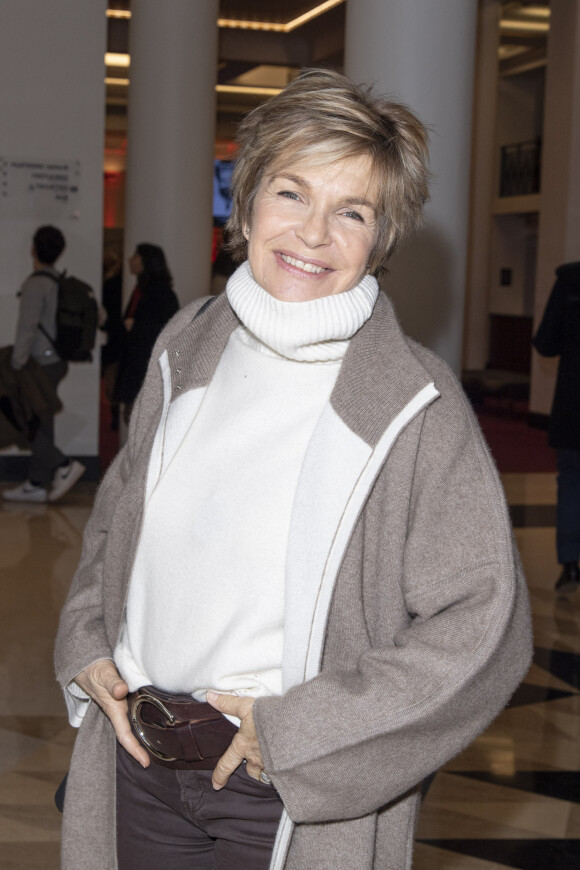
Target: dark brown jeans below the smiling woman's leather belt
(175, 819)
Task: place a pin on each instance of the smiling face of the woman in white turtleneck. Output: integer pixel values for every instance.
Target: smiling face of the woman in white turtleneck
(313, 228)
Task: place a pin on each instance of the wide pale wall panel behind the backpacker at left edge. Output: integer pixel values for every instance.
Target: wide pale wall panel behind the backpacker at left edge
(52, 101)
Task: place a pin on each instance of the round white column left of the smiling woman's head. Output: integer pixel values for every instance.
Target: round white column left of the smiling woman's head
(170, 140)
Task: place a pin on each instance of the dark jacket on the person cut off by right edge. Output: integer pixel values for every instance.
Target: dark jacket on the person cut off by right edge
(559, 335)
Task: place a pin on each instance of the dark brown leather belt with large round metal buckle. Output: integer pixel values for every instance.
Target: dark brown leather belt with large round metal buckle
(177, 731)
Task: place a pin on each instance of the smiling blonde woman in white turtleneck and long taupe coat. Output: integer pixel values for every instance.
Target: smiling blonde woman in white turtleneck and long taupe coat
(305, 528)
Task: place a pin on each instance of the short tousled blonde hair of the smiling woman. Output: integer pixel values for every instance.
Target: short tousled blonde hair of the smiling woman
(321, 116)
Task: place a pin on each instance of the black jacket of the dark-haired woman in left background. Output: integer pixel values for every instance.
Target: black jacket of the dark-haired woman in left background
(157, 305)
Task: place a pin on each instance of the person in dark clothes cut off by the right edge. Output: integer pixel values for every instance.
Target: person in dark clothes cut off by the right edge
(559, 335)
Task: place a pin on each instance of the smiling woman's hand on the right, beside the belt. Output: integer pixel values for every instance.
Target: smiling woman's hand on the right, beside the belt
(245, 743)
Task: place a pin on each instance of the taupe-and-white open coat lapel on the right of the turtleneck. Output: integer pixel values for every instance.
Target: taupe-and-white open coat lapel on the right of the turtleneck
(381, 387)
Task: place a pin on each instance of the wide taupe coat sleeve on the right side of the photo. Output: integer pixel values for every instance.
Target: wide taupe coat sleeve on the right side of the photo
(353, 739)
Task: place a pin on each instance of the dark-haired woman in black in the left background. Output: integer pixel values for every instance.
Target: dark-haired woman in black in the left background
(151, 305)
